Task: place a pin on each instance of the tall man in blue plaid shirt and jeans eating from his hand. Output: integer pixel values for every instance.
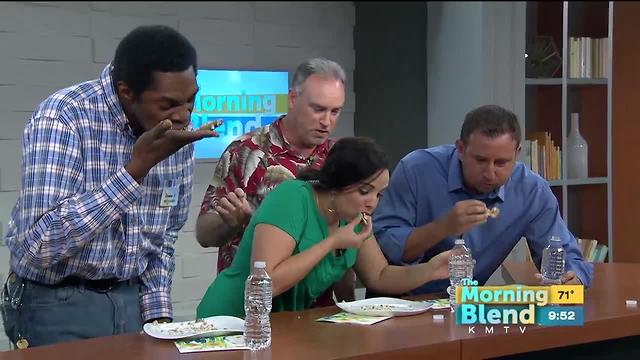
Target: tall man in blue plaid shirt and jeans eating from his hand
(106, 185)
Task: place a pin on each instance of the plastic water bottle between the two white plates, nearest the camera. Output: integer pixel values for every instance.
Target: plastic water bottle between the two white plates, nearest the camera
(258, 293)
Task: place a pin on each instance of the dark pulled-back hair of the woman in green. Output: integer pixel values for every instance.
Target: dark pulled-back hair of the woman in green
(350, 160)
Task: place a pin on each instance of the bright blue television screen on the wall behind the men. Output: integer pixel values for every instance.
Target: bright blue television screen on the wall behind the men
(243, 100)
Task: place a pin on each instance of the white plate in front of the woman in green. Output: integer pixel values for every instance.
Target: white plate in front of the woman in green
(384, 306)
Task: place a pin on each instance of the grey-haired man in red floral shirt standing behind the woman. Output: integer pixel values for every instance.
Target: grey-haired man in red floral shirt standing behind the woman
(256, 162)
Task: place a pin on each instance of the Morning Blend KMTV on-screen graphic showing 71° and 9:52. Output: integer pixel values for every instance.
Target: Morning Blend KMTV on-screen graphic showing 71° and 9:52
(513, 307)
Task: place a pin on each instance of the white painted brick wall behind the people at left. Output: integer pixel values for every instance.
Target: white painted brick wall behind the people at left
(50, 45)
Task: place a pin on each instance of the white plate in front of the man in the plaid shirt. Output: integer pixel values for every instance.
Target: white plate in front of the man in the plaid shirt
(211, 326)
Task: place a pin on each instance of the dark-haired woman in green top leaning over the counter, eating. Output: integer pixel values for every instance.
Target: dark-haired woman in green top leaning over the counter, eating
(312, 229)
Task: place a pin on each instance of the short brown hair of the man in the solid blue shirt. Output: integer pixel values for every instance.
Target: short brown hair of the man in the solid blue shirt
(491, 121)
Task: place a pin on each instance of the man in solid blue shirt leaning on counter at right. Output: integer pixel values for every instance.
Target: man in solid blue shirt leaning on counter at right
(438, 194)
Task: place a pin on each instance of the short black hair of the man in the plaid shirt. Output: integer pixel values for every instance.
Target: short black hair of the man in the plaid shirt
(148, 49)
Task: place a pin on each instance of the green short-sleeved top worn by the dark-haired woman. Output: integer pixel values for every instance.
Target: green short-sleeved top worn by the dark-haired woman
(291, 207)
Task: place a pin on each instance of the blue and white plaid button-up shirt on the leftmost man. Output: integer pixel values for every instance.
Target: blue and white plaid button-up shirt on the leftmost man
(80, 213)
